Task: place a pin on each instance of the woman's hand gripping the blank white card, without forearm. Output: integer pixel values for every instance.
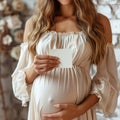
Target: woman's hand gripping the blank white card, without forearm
(44, 63)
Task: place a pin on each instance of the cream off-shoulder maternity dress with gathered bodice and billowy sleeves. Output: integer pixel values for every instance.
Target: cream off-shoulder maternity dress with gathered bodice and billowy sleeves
(67, 85)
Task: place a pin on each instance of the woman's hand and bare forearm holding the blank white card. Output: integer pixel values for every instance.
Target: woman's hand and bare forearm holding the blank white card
(41, 64)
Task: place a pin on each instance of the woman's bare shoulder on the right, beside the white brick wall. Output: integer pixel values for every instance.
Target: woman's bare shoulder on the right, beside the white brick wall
(107, 27)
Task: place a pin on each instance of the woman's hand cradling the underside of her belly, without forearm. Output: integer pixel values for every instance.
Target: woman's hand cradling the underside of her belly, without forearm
(68, 112)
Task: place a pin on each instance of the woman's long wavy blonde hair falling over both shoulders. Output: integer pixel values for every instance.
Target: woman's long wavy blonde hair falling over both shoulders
(87, 21)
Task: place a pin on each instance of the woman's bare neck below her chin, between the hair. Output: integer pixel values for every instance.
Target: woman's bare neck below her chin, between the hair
(67, 10)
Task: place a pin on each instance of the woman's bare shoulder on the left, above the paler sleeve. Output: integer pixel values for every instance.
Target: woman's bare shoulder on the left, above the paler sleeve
(29, 26)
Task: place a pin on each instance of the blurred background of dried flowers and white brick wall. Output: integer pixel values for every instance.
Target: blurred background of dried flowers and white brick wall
(13, 15)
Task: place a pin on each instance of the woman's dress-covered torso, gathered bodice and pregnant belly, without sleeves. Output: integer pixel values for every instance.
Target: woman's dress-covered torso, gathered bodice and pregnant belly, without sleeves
(63, 85)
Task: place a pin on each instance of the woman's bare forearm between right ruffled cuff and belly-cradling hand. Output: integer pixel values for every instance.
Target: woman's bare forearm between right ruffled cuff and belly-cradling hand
(89, 102)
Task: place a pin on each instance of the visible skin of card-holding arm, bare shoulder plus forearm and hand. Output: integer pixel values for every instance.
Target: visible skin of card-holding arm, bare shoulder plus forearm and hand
(41, 63)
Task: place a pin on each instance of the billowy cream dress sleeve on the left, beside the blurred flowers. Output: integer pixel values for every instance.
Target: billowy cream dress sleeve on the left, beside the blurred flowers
(20, 89)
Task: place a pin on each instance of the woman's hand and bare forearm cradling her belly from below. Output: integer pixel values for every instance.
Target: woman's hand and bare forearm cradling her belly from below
(71, 111)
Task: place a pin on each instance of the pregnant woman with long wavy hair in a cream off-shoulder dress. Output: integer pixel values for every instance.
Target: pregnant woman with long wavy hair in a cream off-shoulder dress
(57, 93)
